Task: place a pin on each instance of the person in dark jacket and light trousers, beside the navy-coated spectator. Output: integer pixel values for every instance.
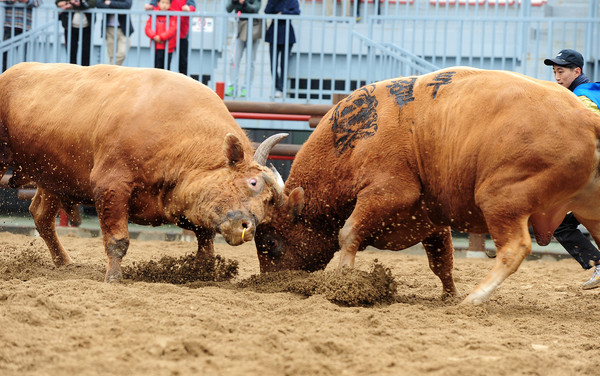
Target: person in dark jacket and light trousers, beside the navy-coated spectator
(241, 7)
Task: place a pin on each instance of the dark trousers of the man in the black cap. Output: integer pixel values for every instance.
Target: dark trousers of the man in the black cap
(578, 246)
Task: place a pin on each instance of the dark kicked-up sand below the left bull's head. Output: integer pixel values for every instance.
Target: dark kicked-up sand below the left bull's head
(182, 270)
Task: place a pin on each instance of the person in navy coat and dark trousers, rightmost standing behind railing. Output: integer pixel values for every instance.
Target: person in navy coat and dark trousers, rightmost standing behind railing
(286, 38)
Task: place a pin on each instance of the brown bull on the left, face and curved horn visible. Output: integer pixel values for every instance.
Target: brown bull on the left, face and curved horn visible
(142, 145)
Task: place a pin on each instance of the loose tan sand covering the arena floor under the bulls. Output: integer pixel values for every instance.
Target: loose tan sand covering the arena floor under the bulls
(69, 322)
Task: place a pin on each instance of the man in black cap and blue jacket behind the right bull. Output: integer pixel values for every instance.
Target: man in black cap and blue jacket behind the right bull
(568, 72)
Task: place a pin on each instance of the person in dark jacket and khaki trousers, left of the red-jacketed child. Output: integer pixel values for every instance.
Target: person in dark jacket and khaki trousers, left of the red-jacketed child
(117, 27)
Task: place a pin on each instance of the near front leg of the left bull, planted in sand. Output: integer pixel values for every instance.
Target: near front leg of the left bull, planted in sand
(112, 205)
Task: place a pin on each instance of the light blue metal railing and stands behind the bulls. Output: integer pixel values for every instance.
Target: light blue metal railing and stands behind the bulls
(336, 54)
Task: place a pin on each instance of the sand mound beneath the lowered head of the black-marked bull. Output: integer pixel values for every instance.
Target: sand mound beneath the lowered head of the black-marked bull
(349, 287)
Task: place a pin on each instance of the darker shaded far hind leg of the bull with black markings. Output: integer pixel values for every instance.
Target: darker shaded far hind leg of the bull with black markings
(440, 253)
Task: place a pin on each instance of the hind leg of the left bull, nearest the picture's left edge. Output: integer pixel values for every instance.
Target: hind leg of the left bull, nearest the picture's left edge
(44, 208)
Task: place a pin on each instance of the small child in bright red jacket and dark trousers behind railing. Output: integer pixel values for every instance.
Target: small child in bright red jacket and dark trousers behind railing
(165, 35)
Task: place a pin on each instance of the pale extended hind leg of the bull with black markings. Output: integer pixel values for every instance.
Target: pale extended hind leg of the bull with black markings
(513, 244)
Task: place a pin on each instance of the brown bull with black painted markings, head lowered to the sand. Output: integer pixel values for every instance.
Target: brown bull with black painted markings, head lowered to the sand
(405, 160)
